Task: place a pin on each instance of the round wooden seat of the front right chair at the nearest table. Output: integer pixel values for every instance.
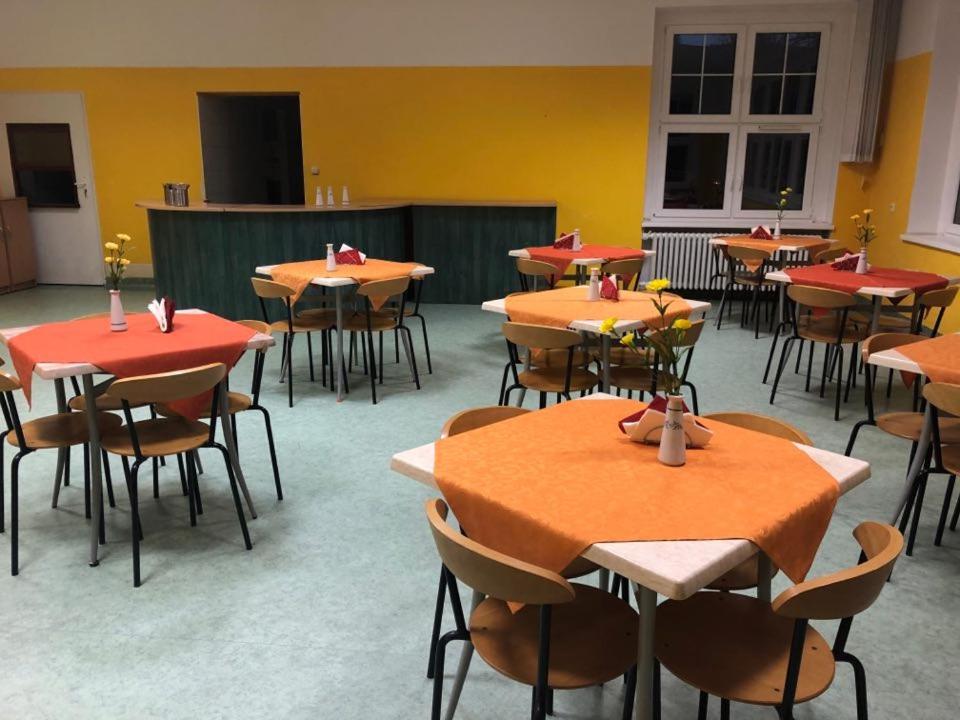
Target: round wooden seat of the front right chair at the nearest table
(735, 647)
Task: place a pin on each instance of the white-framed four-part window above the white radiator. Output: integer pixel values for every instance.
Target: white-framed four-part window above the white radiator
(738, 115)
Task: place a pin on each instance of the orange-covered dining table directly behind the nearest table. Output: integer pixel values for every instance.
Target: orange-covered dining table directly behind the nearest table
(634, 310)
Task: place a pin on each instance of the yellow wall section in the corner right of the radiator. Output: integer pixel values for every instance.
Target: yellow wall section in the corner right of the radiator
(890, 178)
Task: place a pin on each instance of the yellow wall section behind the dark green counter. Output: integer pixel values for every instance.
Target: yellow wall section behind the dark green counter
(574, 135)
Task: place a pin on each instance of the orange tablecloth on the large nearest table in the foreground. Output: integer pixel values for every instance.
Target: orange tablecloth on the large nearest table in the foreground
(510, 493)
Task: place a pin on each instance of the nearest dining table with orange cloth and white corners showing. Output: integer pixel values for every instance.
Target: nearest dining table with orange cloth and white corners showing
(602, 474)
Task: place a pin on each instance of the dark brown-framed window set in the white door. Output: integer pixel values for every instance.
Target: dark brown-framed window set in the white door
(41, 157)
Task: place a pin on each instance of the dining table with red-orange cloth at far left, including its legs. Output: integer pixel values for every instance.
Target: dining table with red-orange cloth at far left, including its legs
(150, 351)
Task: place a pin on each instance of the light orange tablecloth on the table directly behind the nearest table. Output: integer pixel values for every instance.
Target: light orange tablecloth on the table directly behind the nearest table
(562, 306)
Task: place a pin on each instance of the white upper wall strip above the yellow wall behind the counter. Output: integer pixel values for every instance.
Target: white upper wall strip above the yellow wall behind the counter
(303, 33)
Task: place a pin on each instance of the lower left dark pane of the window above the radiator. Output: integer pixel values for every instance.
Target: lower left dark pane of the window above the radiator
(696, 171)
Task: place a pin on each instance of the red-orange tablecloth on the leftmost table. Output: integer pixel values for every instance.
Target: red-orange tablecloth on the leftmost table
(197, 339)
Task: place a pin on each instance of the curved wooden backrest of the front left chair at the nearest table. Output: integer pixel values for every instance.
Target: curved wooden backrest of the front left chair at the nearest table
(490, 572)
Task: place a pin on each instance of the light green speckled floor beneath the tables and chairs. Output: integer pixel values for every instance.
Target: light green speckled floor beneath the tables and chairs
(329, 614)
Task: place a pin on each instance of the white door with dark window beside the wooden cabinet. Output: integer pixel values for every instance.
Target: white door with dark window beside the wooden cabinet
(66, 227)
